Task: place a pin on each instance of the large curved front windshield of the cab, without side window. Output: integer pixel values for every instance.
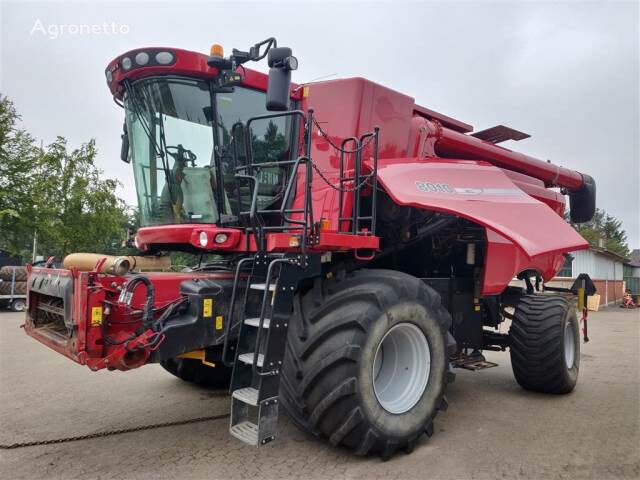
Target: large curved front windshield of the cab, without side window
(171, 139)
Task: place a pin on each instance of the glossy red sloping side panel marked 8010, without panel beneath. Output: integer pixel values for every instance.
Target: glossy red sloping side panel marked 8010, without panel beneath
(482, 193)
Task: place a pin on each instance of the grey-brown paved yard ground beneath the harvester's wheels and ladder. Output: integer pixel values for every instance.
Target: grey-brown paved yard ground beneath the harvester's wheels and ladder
(493, 428)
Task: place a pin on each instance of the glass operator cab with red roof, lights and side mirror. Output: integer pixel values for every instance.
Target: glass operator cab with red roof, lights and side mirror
(186, 133)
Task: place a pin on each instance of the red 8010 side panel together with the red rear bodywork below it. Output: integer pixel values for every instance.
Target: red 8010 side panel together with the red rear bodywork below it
(522, 233)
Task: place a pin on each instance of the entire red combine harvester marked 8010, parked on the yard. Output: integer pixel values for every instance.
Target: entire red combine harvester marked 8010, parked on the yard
(359, 247)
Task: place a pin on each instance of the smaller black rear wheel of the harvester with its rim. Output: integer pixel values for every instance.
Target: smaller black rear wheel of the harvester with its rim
(545, 344)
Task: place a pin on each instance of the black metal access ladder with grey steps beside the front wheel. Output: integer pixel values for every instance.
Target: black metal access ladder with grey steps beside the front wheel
(262, 336)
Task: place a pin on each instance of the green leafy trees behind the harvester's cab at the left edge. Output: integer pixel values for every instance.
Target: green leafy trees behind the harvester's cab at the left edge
(57, 193)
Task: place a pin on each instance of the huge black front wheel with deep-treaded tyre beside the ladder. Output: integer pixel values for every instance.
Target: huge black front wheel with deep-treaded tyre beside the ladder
(366, 363)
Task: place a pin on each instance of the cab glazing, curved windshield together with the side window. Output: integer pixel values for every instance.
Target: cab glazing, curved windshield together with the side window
(177, 149)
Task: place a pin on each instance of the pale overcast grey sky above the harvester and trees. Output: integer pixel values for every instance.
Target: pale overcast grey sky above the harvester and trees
(567, 73)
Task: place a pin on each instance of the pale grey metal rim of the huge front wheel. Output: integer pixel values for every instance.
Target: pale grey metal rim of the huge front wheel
(401, 368)
